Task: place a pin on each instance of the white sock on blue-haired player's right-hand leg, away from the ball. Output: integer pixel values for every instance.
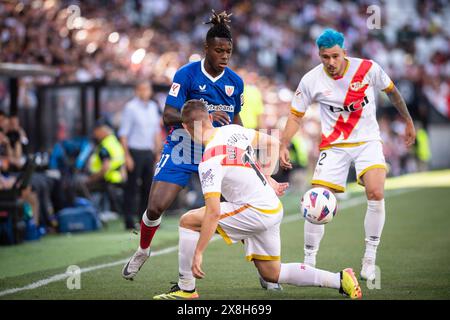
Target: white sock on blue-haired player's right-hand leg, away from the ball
(373, 225)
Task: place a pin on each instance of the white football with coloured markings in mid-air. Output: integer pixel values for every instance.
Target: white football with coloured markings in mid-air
(318, 205)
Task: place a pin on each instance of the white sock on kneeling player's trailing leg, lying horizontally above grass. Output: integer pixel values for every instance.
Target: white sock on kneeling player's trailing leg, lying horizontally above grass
(302, 275)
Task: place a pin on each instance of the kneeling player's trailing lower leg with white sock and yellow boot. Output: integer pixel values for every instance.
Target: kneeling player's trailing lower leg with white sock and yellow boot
(302, 275)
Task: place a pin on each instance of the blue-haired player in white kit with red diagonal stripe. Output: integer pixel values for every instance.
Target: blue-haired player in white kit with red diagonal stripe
(345, 89)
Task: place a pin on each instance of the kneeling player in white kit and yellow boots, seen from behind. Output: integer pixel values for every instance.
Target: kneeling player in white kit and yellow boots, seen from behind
(252, 213)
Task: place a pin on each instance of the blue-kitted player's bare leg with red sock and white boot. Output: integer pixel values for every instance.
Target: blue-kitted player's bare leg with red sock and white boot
(162, 194)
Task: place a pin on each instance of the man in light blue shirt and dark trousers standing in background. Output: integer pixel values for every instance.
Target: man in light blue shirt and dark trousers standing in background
(140, 136)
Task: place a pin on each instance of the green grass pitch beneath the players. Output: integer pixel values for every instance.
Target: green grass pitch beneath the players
(414, 255)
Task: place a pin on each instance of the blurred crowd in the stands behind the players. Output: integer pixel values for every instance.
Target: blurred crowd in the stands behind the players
(120, 41)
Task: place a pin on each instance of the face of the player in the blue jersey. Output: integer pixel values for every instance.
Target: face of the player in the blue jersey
(217, 54)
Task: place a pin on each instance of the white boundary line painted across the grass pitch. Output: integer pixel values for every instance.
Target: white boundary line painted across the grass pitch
(58, 277)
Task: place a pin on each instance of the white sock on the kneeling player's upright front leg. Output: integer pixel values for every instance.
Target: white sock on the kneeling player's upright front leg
(186, 246)
